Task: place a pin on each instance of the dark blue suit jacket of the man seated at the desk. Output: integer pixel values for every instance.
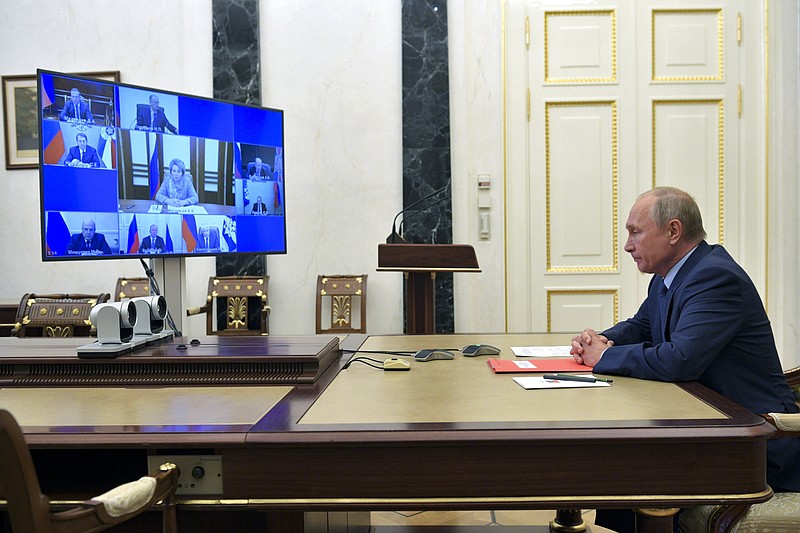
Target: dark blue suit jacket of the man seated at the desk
(718, 334)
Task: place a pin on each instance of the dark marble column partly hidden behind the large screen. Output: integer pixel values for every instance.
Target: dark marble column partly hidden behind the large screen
(237, 77)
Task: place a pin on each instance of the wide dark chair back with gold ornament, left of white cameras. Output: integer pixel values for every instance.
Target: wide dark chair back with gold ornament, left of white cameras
(56, 315)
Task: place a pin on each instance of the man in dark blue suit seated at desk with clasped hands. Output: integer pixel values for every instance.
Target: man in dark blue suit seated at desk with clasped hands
(703, 320)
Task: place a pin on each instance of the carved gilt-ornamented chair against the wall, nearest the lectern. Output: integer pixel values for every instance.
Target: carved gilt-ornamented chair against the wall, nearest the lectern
(337, 293)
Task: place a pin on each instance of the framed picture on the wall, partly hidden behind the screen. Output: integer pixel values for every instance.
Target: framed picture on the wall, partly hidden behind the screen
(19, 117)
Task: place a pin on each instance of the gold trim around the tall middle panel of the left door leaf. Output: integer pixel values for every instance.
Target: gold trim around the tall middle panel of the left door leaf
(614, 267)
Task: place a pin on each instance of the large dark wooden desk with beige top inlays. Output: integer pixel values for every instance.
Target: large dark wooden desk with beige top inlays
(444, 435)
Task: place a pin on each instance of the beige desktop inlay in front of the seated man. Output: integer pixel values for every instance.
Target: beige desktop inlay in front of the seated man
(464, 390)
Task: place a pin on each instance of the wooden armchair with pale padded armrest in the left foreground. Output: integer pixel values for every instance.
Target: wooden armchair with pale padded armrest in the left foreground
(29, 509)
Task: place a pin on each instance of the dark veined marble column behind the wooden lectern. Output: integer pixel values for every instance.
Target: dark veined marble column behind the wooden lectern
(426, 137)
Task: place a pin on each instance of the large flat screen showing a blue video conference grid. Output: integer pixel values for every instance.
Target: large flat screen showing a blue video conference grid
(126, 171)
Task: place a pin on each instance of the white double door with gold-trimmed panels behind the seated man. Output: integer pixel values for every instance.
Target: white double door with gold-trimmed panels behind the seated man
(606, 100)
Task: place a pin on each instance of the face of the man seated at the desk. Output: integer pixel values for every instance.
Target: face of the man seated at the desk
(648, 245)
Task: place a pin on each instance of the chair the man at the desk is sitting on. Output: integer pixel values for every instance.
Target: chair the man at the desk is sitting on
(780, 514)
